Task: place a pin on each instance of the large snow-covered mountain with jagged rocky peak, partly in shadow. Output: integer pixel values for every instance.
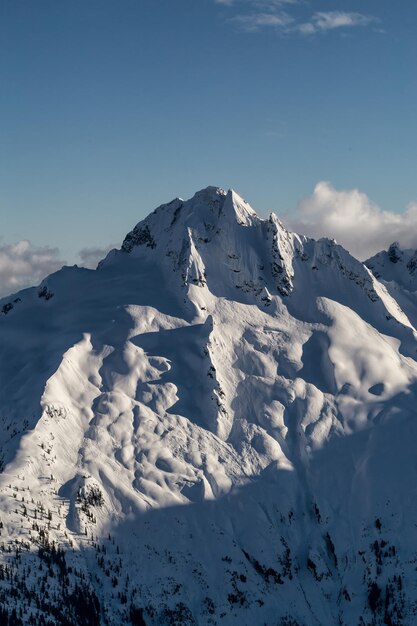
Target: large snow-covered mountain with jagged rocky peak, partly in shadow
(216, 426)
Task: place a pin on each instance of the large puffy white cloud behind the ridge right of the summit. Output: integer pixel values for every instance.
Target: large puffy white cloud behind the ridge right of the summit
(353, 220)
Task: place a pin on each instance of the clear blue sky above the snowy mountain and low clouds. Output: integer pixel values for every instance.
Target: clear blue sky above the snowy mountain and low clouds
(112, 107)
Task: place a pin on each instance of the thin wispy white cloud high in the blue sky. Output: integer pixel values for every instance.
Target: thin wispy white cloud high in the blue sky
(254, 15)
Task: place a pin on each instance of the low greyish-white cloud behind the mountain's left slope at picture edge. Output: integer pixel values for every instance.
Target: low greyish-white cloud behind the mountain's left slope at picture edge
(23, 264)
